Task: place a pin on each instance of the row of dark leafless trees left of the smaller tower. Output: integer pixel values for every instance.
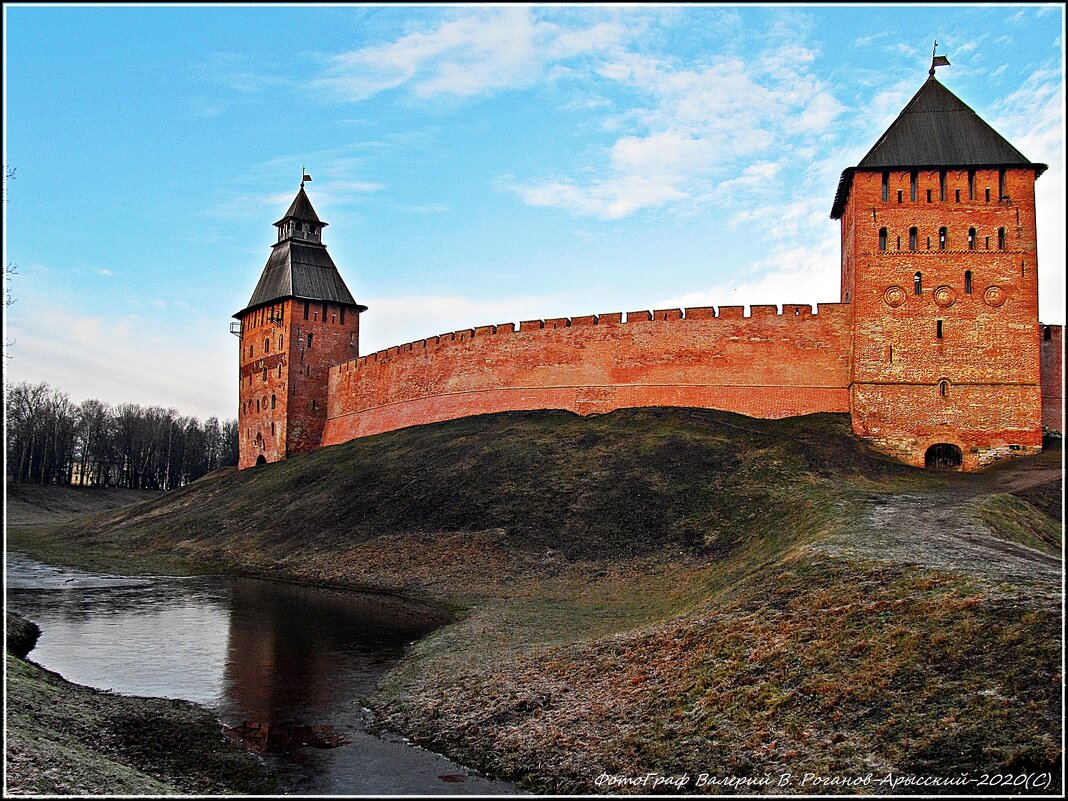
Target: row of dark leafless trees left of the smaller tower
(52, 441)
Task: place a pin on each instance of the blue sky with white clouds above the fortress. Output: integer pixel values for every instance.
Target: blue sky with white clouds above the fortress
(477, 164)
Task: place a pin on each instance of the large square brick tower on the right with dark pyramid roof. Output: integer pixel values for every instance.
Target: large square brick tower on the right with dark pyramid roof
(939, 264)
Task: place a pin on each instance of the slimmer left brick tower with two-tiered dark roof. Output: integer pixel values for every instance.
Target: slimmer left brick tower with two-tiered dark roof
(301, 321)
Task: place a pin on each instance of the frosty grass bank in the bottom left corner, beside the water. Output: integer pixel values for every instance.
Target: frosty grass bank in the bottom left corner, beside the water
(69, 740)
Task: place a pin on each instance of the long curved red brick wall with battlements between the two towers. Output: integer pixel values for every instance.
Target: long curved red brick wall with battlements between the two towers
(768, 366)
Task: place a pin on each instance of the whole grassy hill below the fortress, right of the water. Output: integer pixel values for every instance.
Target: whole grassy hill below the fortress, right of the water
(672, 591)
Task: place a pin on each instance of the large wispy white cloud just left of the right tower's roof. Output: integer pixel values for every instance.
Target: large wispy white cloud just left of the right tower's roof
(693, 124)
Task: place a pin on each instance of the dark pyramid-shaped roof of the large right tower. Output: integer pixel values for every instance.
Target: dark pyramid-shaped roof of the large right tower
(935, 131)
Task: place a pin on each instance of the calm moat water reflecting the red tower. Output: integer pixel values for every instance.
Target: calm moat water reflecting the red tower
(285, 666)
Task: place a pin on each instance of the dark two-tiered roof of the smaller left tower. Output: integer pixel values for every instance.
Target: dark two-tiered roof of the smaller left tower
(300, 269)
